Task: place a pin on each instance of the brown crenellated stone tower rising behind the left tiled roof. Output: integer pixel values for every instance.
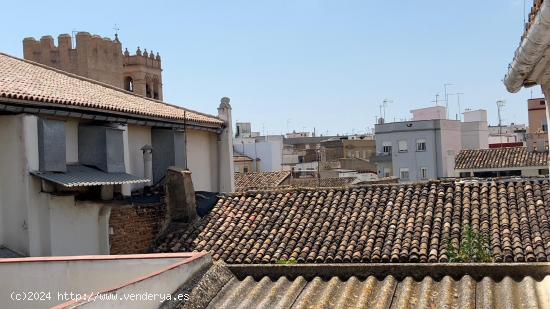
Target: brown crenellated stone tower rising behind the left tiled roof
(101, 59)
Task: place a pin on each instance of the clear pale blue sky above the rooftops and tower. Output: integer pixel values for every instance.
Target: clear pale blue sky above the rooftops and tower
(304, 63)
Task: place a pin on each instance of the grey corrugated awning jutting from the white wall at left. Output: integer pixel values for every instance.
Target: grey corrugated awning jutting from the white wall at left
(83, 176)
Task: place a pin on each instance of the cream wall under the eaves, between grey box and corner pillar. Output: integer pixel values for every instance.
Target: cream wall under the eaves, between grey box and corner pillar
(202, 159)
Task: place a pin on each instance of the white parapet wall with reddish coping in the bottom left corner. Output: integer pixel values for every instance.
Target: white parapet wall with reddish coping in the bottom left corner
(123, 281)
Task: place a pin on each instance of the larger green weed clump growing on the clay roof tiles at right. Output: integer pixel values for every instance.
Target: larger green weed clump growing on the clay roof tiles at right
(474, 248)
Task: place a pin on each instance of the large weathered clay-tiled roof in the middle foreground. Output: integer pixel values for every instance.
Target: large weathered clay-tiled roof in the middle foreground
(378, 223)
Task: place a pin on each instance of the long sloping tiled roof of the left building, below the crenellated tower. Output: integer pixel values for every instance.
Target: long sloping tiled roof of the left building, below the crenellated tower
(29, 81)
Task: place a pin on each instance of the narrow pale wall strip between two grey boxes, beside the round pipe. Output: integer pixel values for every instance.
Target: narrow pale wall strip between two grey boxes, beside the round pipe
(138, 136)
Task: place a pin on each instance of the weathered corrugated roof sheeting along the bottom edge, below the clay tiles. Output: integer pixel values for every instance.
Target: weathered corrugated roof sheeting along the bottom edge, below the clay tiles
(383, 293)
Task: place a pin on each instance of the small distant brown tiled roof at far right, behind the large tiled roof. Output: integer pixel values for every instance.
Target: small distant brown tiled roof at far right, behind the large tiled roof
(500, 158)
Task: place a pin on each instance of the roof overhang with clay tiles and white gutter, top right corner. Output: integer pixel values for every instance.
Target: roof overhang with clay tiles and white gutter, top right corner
(530, 64)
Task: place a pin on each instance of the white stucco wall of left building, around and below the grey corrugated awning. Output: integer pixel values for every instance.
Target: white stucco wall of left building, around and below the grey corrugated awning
(35, 223)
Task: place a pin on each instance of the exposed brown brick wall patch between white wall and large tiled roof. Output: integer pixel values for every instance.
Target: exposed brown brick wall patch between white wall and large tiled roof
(134, 227)
